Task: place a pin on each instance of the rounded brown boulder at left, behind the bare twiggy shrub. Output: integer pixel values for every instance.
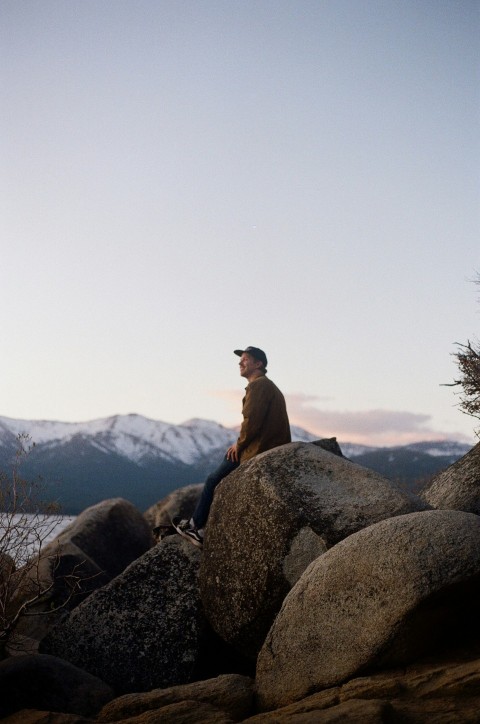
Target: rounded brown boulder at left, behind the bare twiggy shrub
(99, 544)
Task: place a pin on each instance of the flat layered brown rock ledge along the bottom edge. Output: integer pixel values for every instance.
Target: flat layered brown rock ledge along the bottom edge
(441, 691)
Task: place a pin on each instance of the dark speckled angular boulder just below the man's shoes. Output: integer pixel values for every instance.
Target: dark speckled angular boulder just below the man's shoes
(143, 630)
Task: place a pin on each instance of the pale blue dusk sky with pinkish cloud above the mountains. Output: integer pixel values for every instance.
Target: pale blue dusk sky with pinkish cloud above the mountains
(182, 178)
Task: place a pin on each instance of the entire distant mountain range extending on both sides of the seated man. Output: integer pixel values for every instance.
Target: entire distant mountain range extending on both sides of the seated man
(143, 460)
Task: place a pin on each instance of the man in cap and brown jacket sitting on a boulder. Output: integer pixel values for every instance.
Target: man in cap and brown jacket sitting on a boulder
(265, 425)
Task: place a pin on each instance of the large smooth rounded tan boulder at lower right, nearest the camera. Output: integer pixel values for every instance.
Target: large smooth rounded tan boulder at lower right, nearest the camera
(383, 597)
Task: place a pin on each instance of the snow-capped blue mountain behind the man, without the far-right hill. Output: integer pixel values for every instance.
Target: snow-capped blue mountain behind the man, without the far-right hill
(127, 456)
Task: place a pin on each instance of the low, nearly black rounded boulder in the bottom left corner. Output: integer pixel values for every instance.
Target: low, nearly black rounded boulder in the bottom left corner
(48, 683)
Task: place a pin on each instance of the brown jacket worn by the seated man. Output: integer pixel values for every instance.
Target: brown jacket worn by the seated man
(265, 420)
